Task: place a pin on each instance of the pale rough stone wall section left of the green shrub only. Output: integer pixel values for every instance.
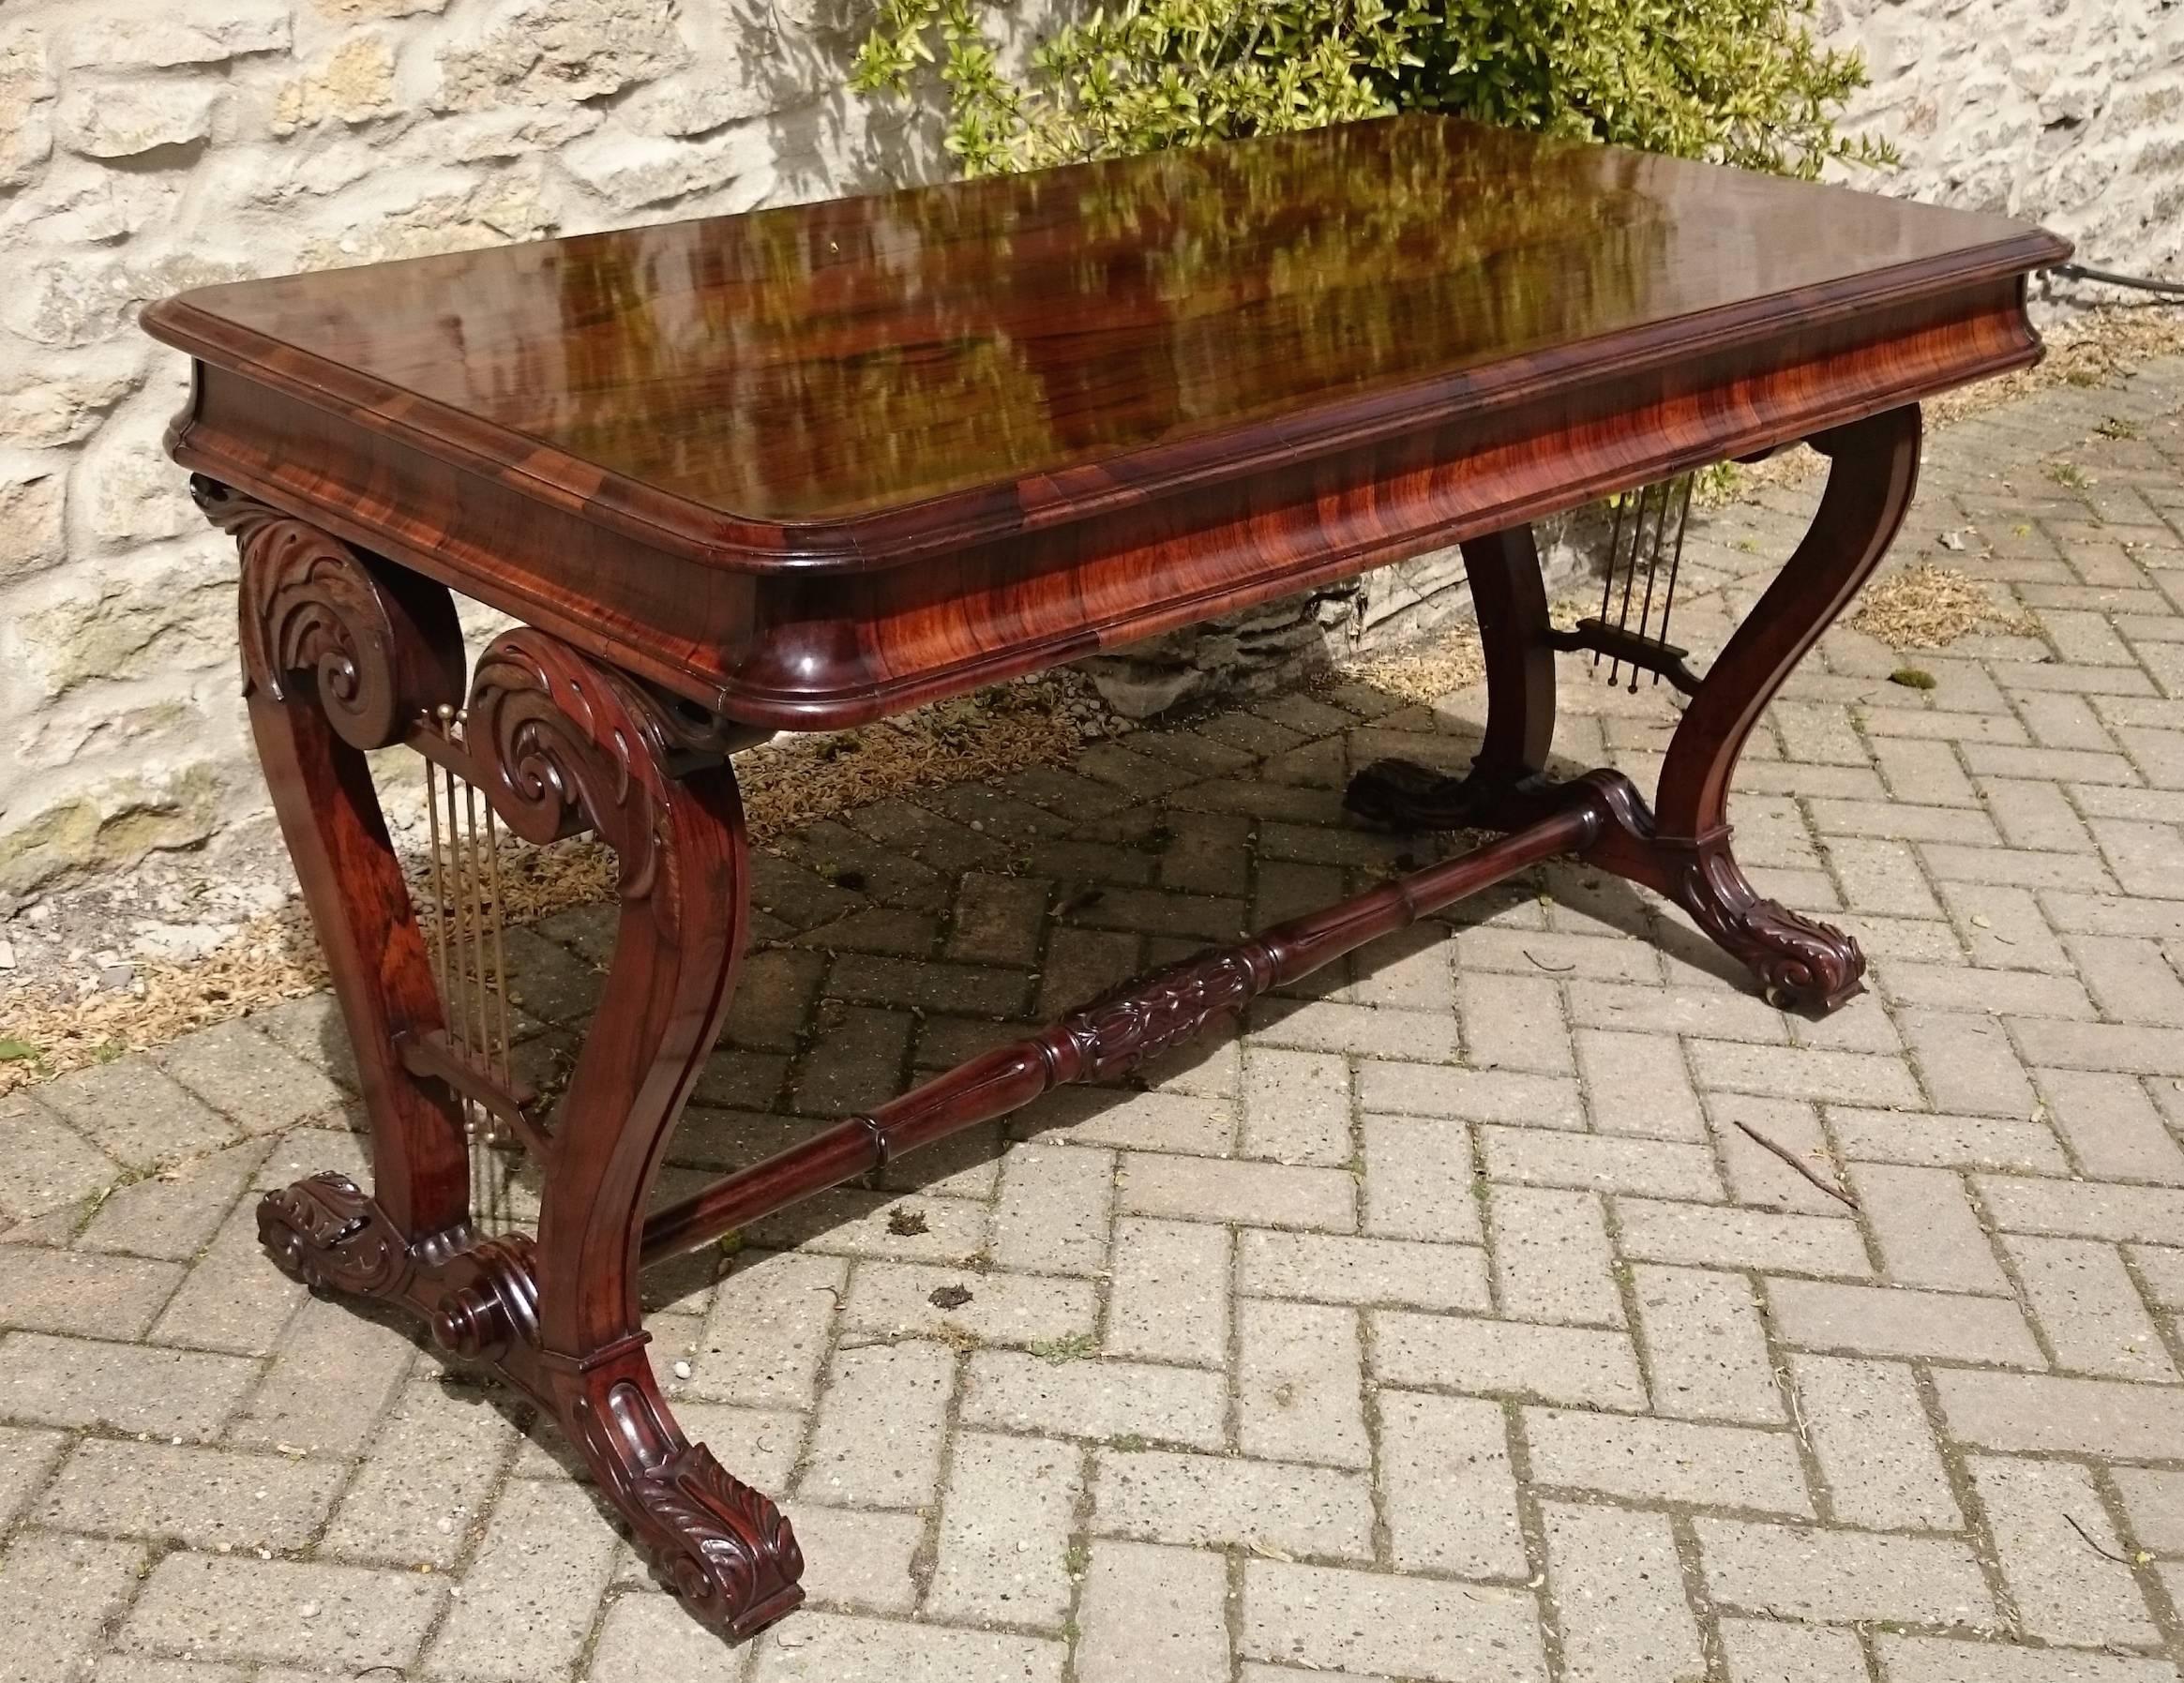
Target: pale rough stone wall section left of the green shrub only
(152, 145)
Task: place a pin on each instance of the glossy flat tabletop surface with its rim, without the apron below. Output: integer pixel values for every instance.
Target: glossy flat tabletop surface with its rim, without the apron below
(831, 363)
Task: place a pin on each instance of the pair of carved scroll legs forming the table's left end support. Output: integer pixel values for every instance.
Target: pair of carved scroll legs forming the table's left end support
(346, 654)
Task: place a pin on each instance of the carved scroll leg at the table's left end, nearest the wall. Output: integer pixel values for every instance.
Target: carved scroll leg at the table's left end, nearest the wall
(340, 652)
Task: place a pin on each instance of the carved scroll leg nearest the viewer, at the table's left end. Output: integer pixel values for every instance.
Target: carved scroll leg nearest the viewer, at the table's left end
(551, 732)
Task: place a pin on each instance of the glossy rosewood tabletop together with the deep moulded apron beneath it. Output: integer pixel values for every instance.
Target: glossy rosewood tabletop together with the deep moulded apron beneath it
(820, 464)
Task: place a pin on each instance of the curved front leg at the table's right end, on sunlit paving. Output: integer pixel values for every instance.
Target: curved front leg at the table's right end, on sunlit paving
(1799, 962)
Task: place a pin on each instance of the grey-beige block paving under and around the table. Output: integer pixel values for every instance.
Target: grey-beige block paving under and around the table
(1451, 1324)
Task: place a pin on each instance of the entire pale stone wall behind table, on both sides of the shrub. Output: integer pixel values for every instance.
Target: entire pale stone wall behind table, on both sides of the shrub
(152, 145)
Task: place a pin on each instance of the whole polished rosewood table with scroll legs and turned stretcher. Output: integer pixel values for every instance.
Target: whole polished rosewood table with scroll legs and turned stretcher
(814, 466)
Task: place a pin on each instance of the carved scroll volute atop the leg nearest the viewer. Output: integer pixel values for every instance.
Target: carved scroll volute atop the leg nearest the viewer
(556, 735)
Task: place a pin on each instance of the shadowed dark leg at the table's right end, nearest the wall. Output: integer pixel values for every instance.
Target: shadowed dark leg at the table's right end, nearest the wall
(1504, 785)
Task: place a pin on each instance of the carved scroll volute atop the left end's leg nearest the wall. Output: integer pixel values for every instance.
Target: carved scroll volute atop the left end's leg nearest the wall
(379, 645)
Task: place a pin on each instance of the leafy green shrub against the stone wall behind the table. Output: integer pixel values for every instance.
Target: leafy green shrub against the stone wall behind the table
(1737, 82)
